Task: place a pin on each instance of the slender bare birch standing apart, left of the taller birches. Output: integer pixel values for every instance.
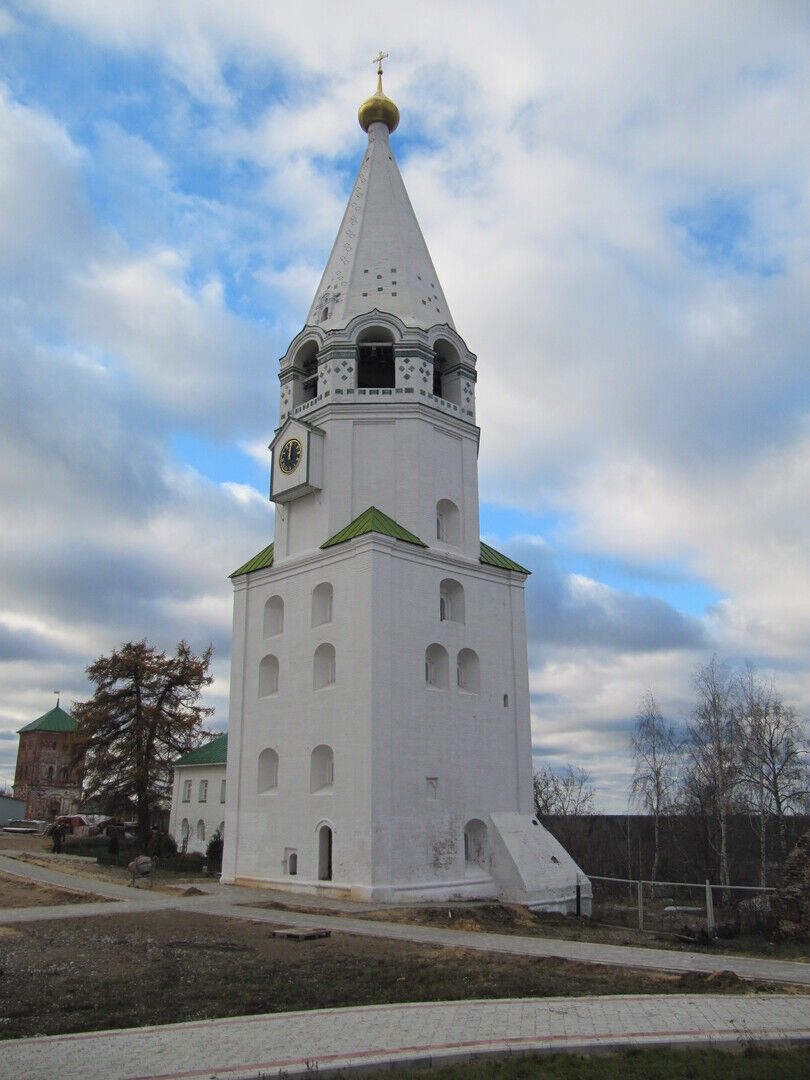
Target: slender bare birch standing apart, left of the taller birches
(655, 747)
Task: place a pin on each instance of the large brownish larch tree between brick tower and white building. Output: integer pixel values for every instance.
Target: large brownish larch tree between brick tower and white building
(145, 713)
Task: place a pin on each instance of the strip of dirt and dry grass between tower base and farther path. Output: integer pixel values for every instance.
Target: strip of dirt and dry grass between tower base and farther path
(515, 920)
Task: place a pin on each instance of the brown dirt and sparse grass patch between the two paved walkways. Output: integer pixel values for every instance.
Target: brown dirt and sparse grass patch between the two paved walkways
(123, 971)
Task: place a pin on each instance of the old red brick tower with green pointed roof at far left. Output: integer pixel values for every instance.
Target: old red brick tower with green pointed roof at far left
(47, 778)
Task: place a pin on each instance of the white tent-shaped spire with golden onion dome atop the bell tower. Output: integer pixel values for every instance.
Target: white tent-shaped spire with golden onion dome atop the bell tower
(380, 260)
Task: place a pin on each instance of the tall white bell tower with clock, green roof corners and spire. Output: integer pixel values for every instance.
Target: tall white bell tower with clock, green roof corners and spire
(380, 738)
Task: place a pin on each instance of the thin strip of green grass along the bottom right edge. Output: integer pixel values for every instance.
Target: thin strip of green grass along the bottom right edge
(663, 1064)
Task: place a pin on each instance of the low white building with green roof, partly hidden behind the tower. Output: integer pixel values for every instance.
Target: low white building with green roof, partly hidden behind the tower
(199, 795)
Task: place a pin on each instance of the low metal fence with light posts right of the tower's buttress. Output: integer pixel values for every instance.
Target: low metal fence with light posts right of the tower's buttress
(676, 908)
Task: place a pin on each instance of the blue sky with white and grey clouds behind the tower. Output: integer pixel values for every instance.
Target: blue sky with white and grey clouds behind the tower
(616, 198)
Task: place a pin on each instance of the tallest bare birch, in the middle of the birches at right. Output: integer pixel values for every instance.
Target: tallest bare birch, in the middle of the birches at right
(713, 773)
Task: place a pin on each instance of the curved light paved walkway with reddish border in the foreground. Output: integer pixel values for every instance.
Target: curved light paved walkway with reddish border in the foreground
(294, 1044)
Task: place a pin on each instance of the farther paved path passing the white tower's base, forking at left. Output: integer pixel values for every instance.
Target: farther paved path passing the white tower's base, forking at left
(234, 902)
